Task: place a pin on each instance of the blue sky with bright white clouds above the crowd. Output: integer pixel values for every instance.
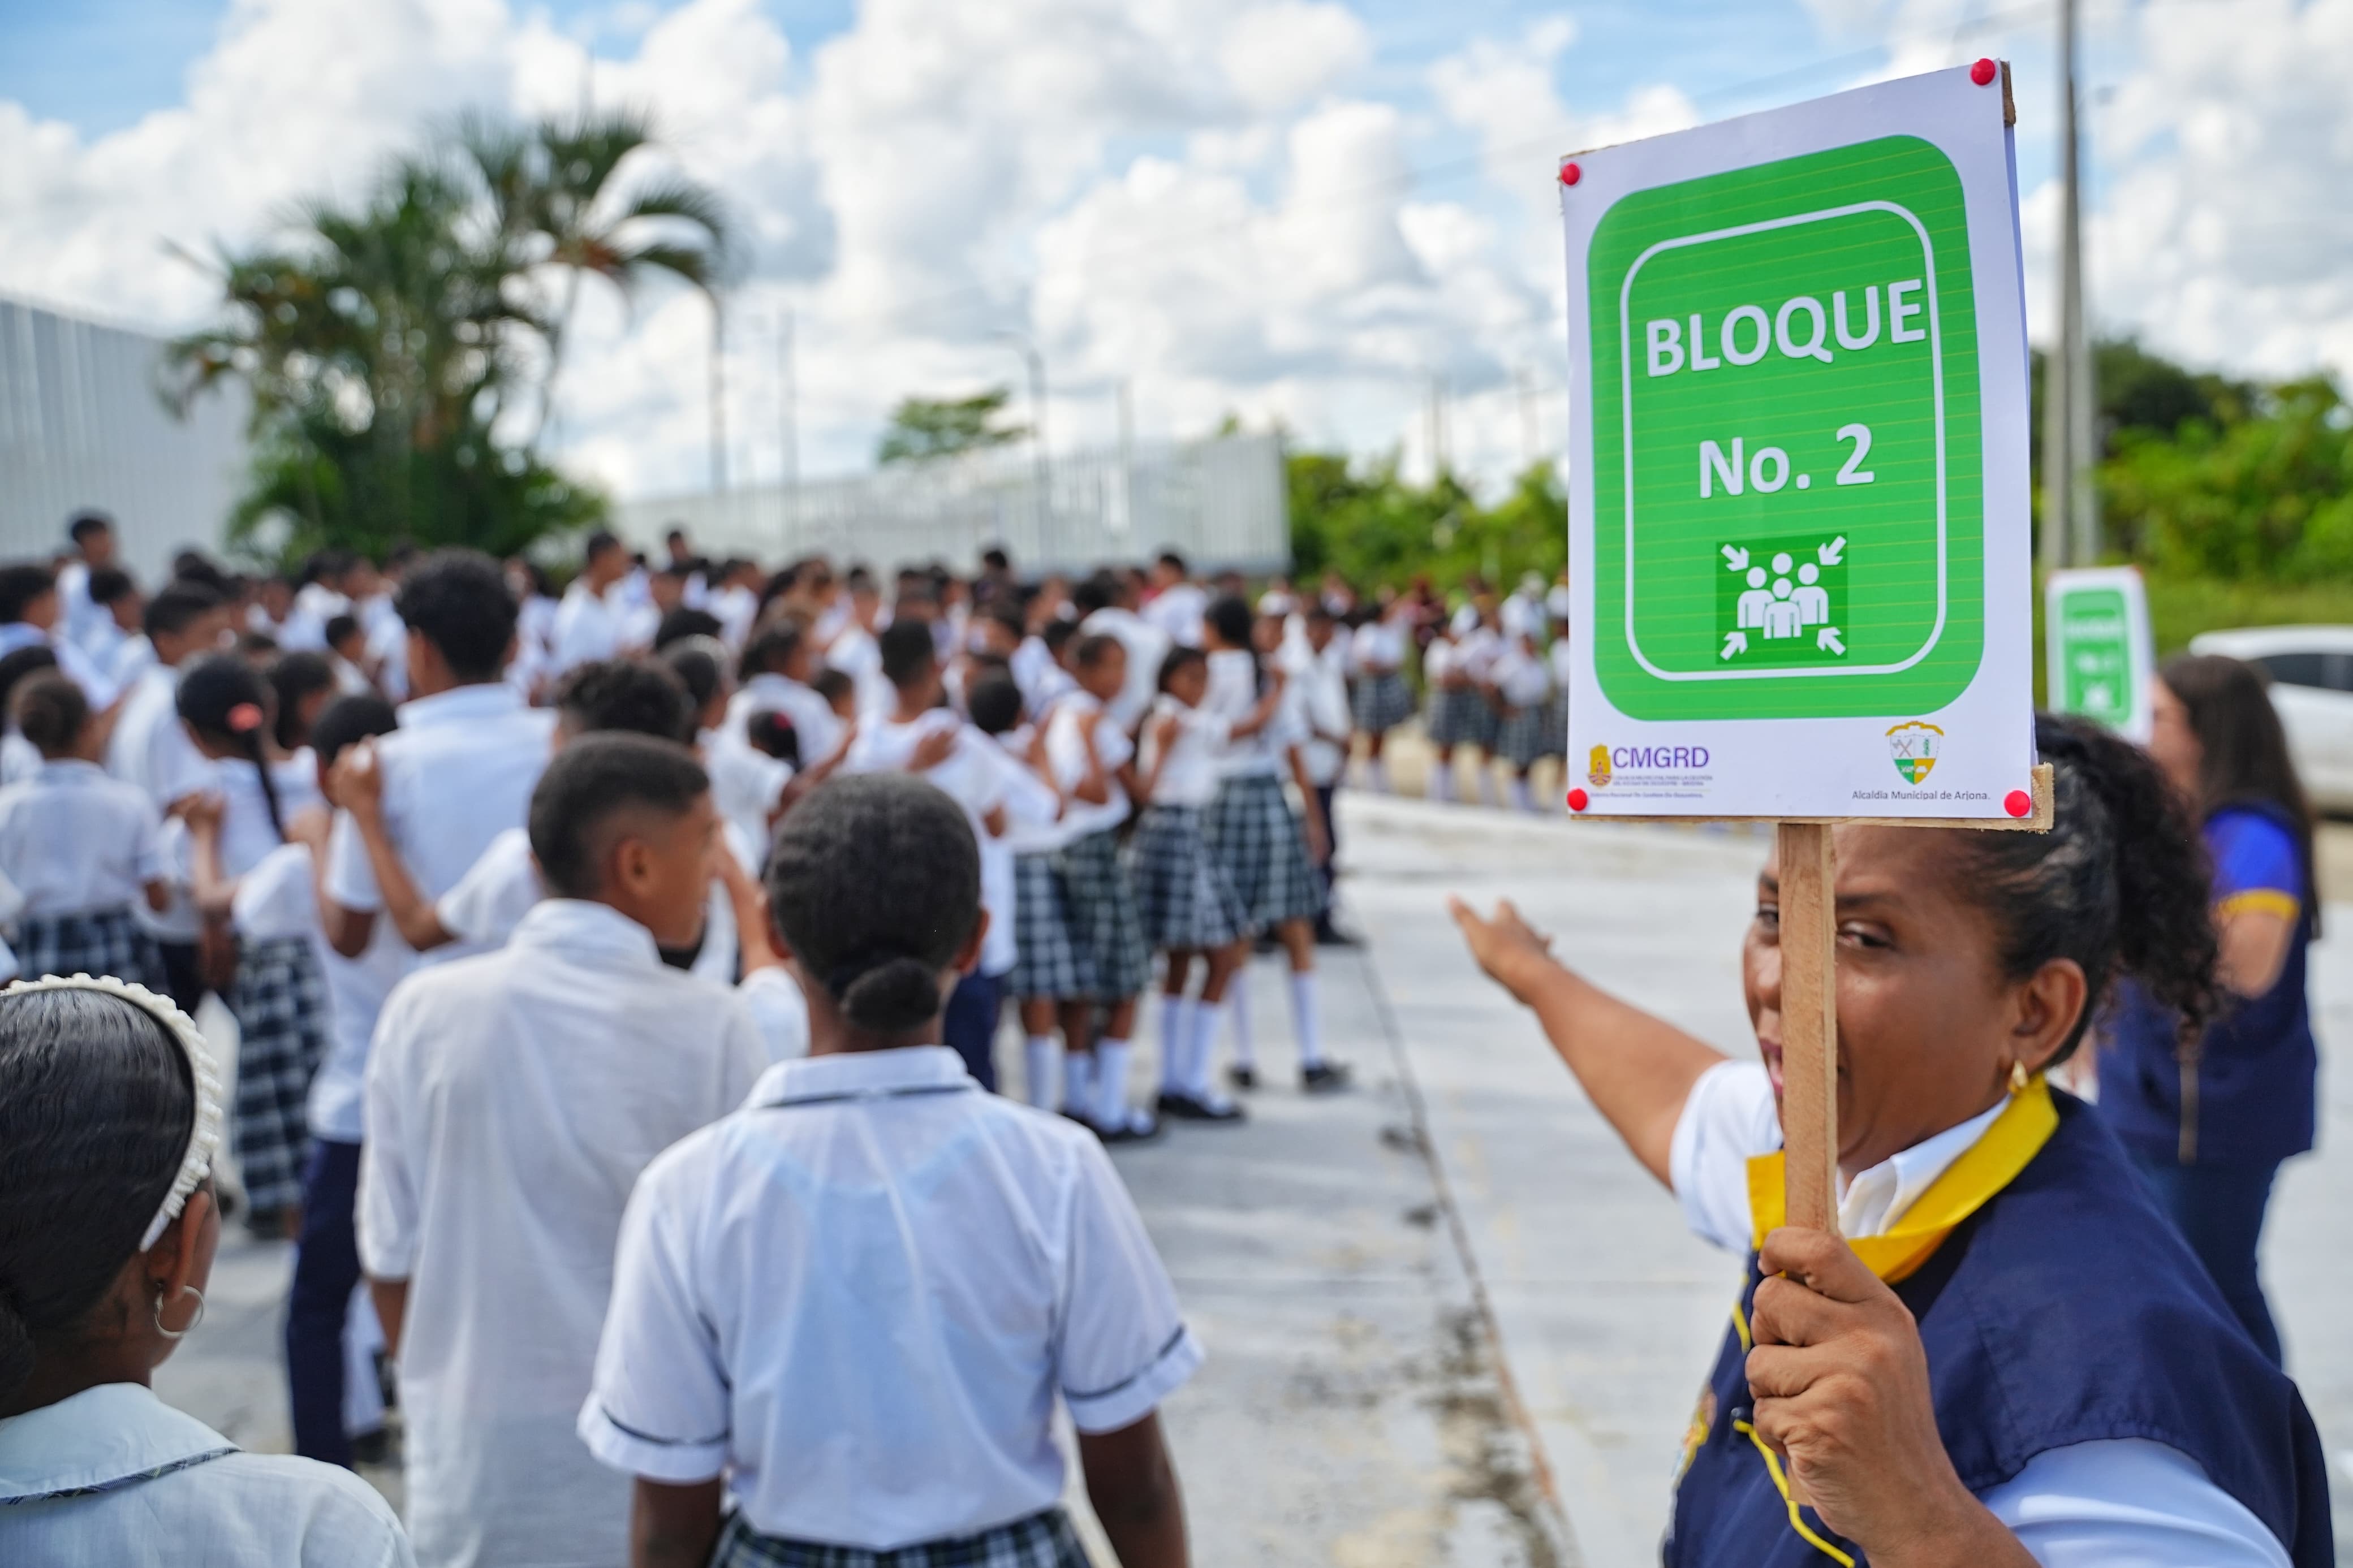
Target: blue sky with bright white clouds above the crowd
(1291, 210)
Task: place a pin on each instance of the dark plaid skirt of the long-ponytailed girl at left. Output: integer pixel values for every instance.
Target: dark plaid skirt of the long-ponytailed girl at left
(281, 1005)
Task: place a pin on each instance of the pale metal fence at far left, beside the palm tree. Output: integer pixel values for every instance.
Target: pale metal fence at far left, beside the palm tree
(81, 429)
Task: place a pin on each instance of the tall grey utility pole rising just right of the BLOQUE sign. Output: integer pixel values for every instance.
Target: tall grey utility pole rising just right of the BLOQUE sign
(2069, 438)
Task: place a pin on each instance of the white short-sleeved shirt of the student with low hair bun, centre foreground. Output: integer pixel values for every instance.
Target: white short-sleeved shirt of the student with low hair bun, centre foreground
(862, 1296)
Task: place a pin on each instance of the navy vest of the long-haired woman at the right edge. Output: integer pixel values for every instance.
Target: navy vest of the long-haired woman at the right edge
(2258, 1066)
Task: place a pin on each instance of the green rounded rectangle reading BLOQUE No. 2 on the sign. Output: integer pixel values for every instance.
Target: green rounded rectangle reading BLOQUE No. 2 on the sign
(1787, 471)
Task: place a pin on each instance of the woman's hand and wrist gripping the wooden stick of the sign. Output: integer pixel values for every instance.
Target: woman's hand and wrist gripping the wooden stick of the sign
(1841, 1393)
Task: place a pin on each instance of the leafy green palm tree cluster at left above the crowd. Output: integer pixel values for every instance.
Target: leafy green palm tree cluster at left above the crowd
(401, 351)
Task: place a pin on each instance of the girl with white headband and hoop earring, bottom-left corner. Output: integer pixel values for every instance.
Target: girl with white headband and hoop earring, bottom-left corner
(109, 1125)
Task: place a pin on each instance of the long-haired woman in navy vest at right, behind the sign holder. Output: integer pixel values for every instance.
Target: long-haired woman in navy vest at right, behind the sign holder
(2211, 1115)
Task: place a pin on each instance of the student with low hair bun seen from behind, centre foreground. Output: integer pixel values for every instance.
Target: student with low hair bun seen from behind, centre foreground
(858, 1301)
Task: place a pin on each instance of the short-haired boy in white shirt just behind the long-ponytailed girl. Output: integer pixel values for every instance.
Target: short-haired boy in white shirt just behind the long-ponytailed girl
(152, 749)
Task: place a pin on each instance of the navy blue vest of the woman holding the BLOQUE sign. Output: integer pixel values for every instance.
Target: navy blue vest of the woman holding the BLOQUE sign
(2065, 1311)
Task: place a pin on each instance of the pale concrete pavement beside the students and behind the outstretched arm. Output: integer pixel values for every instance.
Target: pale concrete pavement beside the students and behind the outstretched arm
(1448, 1318)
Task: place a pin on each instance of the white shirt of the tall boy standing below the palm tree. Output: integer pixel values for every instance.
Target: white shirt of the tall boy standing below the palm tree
(455, 775)
